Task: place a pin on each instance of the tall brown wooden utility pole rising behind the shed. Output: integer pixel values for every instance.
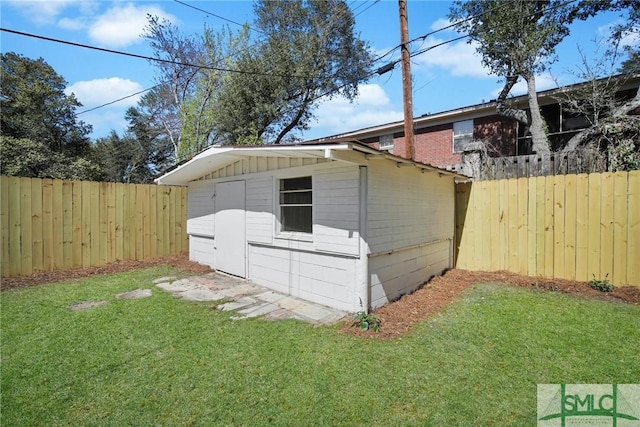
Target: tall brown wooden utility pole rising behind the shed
(406, 81)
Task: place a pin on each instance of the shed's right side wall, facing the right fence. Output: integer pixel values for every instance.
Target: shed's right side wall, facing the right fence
(410, 229)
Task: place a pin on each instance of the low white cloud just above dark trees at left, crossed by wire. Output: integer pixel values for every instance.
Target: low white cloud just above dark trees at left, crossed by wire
(93, 93)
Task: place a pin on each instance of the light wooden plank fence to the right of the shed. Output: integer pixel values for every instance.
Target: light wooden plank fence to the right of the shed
(573, 227)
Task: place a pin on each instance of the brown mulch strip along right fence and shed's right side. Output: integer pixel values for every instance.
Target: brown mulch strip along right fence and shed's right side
(399, 316)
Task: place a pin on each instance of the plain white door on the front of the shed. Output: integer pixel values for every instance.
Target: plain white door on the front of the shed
(230, 228)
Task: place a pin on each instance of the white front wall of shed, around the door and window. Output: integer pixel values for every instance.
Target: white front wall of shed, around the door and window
(320, 267)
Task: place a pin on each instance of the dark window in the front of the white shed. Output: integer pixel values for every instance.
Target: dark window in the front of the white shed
(295, 205)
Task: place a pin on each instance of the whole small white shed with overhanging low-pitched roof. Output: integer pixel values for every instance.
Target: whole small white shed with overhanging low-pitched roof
(336, 223)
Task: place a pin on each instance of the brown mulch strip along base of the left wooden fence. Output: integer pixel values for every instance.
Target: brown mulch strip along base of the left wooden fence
(180, 262)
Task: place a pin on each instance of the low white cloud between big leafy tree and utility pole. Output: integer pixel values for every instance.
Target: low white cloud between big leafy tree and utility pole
(371, 107)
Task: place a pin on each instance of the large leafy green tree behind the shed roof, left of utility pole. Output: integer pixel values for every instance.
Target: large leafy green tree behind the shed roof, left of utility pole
(309, 50)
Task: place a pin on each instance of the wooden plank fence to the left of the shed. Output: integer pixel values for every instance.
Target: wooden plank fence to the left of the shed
(57, 225)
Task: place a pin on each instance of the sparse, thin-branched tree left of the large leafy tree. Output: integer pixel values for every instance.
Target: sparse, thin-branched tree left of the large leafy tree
(181, 104)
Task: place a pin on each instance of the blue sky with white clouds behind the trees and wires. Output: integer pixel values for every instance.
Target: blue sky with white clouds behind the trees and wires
(447, 77)
